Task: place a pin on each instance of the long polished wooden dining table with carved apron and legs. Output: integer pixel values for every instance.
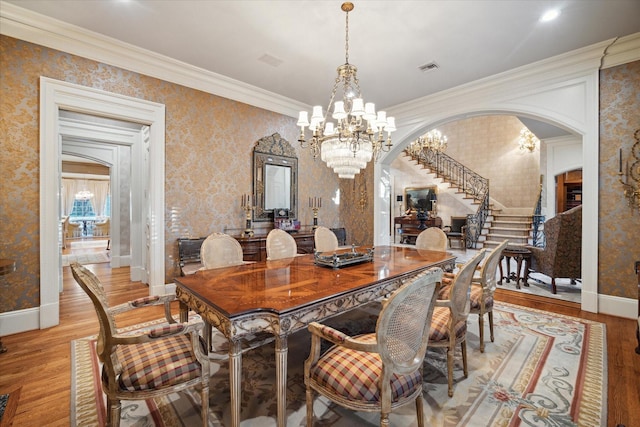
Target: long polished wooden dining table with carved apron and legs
(283, 296)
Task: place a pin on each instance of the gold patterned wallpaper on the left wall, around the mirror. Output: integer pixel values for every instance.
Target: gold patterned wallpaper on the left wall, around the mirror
(209, 142)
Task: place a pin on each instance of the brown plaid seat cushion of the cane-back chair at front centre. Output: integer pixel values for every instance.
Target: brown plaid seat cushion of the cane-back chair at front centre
(353, 374)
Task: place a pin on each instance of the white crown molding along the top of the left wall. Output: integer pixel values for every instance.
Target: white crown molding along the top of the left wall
(35, 28)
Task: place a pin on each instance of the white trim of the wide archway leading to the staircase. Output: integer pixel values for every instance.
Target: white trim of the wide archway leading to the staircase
(571, 104)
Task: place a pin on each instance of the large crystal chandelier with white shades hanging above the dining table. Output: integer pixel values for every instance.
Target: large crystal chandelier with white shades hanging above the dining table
(358, 134)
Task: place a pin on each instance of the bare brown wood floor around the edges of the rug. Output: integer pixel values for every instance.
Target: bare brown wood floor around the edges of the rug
(40, 361)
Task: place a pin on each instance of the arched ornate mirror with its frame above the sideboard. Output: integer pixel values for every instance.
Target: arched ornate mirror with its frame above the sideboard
(275, 178)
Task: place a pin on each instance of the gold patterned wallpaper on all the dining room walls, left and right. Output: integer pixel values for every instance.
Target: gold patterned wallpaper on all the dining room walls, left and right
(208, 164)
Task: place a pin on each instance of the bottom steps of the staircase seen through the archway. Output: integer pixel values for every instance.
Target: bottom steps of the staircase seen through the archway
(515, 228)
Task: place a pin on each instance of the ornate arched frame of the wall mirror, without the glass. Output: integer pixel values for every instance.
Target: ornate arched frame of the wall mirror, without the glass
(273, 150)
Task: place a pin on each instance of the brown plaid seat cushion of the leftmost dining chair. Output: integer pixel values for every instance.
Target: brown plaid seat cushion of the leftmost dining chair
(157, 364)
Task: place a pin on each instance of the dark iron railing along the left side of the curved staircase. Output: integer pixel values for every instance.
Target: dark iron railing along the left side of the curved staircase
(457, 174)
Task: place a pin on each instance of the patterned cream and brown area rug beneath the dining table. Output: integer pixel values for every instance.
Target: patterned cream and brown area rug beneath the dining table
(543, 369)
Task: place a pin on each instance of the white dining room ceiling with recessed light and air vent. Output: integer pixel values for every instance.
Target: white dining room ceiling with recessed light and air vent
(292, 47)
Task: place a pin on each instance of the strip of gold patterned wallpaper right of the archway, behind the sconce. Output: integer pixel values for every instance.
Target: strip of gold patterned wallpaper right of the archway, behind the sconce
(619, 227)
